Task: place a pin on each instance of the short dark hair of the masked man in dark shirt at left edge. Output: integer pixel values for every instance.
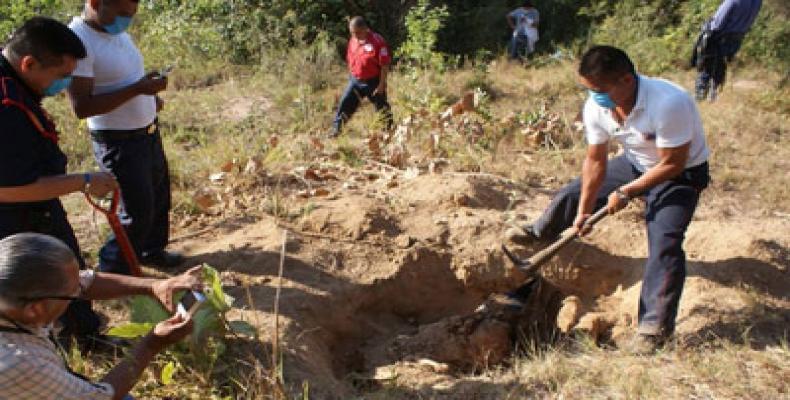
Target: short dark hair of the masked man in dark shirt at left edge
(47, 40)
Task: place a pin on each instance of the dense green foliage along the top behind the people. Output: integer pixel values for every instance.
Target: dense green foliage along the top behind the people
(658, 33)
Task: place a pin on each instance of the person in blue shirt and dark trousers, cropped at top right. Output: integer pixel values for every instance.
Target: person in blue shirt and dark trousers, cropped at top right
(718, 42)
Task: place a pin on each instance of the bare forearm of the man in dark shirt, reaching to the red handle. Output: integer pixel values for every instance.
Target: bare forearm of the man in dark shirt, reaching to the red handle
(46, 188)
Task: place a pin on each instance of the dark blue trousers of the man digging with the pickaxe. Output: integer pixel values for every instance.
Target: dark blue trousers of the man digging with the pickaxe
(670, 206)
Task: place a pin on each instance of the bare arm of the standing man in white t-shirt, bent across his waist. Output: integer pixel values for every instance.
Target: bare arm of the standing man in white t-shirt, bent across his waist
(86, 104)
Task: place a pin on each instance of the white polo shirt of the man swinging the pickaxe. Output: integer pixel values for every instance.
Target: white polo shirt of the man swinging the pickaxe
(664, 116)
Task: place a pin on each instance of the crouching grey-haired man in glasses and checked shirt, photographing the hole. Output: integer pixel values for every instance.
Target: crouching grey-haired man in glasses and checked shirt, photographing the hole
(39, 277)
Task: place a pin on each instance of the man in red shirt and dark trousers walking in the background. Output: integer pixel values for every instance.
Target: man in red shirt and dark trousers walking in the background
(368, 58)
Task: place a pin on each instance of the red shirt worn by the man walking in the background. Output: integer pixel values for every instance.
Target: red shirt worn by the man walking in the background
(365, 58)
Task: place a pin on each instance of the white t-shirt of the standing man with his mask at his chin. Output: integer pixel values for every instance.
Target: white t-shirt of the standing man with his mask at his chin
(114, 62)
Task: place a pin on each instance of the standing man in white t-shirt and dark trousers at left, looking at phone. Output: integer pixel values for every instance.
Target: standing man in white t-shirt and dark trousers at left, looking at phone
(111, 89)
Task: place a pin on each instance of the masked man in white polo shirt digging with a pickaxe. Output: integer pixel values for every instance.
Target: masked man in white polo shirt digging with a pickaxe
(664, 159)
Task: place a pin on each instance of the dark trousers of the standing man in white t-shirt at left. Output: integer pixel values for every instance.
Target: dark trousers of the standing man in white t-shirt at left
(140, 166)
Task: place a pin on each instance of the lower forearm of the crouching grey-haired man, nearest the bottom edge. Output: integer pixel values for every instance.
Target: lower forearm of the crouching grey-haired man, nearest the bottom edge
(127, 372)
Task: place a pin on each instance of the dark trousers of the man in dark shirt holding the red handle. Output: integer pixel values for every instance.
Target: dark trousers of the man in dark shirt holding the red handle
(50, 219)
